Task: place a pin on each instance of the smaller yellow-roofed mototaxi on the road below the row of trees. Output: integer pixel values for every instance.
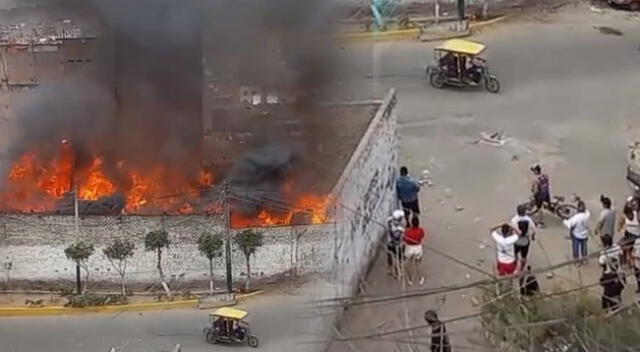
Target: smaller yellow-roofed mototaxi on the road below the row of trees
(228, 326)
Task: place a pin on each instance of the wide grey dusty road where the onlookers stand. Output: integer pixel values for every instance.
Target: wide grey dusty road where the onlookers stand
(569, 100)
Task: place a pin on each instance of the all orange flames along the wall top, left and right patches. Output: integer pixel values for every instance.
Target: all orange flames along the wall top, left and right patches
(34, 185)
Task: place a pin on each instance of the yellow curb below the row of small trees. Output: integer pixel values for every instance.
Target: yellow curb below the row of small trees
(53, 311)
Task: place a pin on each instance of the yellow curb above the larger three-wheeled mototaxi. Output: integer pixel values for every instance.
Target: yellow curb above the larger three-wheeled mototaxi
(408, 34)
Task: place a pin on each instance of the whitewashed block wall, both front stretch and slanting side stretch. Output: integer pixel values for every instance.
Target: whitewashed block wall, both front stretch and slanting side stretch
(341, 250)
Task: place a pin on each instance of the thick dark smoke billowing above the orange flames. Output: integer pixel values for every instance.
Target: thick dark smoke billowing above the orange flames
(146, 107)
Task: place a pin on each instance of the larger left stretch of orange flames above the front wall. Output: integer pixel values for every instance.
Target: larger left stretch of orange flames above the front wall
(35, 185)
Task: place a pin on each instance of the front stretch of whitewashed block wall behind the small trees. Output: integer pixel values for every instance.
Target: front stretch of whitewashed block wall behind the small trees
(34, 245)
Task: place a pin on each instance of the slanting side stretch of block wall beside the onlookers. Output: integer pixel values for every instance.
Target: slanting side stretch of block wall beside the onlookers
(366, 195)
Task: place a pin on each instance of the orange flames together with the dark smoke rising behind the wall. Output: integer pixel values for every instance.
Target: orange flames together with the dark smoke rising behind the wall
(143, 137)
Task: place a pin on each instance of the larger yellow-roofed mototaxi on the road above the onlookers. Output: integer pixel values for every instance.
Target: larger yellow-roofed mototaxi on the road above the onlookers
(458, 63)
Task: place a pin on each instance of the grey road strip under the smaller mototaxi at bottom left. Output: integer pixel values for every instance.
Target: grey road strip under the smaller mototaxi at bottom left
(274, 318)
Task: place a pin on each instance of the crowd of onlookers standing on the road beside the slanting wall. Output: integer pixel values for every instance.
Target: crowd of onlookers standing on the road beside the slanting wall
(619, 237)
